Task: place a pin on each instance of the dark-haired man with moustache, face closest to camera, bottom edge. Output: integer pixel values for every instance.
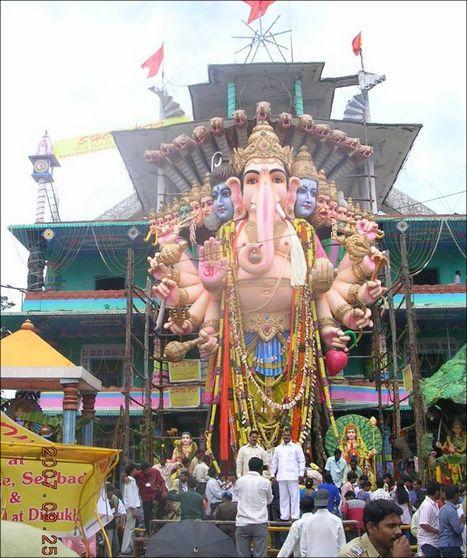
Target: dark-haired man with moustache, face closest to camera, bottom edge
(383, 537)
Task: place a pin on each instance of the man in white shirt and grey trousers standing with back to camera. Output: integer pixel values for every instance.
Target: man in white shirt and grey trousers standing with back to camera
(254, 494)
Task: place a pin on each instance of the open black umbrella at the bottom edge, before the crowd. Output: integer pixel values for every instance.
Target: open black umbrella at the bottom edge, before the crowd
(190, 537)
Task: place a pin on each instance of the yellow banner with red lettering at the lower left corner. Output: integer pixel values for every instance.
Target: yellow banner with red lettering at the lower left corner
(54, 487)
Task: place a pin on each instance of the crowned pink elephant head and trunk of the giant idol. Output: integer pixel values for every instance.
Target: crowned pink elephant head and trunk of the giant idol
(264, 166)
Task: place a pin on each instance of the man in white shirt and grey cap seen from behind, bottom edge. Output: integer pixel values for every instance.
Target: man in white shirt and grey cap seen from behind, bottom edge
(322, 532)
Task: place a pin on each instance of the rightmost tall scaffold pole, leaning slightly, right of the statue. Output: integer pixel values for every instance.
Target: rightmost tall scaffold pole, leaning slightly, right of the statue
(418, 406)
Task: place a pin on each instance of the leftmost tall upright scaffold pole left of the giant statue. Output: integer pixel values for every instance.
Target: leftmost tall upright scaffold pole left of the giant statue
(128, 354)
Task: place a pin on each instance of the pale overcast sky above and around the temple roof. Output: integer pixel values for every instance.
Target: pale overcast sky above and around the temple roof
(73, 68)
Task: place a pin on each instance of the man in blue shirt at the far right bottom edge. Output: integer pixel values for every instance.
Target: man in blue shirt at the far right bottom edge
(450, 525)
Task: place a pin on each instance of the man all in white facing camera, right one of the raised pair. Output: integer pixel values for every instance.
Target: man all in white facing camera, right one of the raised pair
(288, 465)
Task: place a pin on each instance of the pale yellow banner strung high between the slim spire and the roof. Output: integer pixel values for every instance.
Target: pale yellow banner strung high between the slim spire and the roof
(104, 140)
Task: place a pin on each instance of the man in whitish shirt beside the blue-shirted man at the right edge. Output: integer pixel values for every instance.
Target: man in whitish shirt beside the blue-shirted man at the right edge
(428, 528)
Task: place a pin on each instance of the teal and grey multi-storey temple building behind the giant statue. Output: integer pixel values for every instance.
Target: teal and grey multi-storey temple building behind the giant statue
(77, 287)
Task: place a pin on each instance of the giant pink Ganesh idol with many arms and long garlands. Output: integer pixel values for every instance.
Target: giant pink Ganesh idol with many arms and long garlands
(265, 298)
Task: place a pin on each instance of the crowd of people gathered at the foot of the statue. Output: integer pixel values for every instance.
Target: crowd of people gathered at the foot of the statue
(283, 487)
